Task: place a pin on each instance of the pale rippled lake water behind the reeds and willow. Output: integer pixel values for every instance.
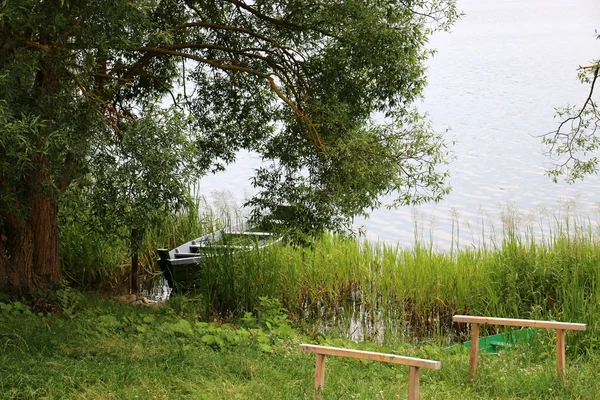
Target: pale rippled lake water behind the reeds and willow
(494, 83)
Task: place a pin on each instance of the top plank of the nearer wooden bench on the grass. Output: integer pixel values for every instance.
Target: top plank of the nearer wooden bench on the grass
(369, 355)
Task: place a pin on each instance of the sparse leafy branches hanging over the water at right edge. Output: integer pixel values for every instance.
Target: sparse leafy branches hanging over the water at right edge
(572, 145)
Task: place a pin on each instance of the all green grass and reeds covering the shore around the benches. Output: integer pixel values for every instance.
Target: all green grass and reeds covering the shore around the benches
(237, 336)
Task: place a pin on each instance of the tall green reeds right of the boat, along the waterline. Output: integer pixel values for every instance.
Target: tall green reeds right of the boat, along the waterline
(413, 292)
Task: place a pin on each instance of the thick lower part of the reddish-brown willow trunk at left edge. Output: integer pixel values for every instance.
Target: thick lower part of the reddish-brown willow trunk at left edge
(29, 259)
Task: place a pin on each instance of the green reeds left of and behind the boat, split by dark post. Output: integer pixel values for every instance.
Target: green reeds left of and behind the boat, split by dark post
(93, 257)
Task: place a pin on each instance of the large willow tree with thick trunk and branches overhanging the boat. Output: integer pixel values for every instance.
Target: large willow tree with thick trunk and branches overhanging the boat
(297, 81)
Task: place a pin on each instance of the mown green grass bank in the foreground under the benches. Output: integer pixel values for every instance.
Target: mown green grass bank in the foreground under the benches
(106, 350)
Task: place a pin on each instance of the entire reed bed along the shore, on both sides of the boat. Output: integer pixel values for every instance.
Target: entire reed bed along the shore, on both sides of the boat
(376, 291)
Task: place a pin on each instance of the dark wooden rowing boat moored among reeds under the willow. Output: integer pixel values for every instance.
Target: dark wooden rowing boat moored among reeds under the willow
(182, 266)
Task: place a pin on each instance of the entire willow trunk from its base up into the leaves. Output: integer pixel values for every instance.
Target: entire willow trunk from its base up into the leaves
(29, 258)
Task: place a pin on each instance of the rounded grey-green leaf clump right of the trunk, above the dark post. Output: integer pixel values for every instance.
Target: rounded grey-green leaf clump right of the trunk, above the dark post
(137, 177)
